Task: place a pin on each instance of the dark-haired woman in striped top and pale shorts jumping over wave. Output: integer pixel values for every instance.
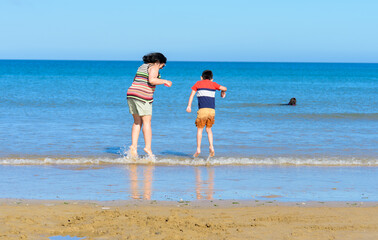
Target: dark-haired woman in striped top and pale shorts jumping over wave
(140, 98)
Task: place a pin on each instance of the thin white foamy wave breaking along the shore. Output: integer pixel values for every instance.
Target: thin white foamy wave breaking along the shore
(187, 161)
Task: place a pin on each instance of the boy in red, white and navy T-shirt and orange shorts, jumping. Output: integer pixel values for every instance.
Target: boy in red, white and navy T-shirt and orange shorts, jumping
(206, 103)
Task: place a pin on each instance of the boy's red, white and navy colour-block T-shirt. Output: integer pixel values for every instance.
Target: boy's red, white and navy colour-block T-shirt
(206, 93)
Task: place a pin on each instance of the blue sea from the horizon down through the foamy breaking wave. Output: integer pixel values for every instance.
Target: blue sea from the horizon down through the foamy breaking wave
(75, 112)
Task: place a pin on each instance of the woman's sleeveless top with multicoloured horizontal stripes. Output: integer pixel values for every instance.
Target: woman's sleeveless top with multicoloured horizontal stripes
(141, 89)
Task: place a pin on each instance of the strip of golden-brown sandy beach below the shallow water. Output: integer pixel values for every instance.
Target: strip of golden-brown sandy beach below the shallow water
(28, 219)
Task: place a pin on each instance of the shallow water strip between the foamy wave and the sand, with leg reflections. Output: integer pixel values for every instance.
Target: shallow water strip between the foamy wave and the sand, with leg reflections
(188, 183)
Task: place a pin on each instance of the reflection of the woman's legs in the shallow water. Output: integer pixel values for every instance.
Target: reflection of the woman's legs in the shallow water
(147, 181)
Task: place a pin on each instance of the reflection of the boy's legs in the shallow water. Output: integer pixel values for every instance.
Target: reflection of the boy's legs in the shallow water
(204, 186)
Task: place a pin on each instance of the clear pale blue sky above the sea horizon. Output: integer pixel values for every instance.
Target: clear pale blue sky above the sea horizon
(196, 30)
